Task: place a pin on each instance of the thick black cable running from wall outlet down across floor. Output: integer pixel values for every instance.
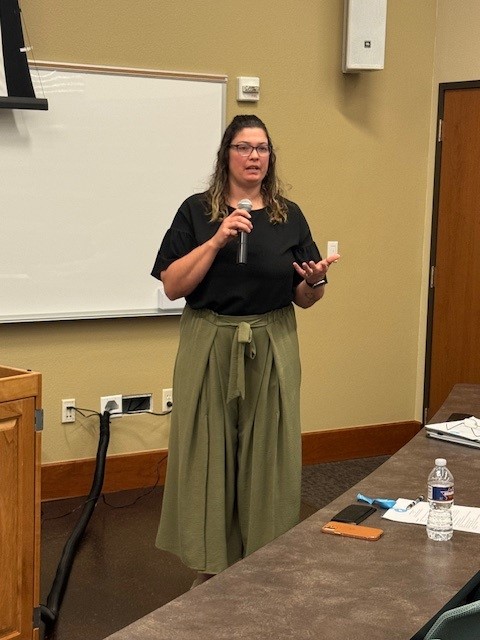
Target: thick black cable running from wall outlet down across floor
(49, 612)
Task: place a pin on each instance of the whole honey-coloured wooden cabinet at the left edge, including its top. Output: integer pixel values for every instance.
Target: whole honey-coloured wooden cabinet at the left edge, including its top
(20, 424)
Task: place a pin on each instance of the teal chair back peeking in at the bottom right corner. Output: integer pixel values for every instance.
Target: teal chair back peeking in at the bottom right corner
(461, 623)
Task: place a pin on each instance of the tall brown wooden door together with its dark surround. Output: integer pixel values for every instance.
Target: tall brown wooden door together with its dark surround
(453, 337)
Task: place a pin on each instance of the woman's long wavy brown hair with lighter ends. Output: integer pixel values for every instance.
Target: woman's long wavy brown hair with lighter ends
(271, 188)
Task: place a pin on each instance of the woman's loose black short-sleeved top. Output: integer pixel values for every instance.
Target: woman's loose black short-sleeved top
(265, 283)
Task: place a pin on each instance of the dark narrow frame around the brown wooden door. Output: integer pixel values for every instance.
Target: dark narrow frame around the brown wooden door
(443, 87)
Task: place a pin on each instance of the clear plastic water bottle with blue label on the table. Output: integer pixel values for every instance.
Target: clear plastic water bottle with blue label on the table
(440, 500)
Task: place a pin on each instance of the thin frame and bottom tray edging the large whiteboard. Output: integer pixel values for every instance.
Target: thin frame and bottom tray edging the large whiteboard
(170, 309)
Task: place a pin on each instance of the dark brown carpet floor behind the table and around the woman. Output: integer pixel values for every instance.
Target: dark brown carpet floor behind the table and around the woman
(118, 575)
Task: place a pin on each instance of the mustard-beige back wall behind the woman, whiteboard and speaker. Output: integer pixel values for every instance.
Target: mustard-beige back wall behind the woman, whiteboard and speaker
(355, 150)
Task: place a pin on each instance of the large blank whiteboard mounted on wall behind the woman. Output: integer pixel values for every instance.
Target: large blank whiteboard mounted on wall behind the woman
(90, 187)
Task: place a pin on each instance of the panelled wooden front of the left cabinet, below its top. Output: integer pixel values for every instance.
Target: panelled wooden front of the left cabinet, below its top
(17, 519)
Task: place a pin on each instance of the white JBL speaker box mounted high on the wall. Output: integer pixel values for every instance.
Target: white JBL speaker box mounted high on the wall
(364, 29)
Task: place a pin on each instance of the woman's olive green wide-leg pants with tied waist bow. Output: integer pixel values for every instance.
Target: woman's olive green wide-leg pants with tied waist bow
(234, 461)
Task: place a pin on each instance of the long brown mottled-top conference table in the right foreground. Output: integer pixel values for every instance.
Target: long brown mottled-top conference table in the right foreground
(306, 584)
